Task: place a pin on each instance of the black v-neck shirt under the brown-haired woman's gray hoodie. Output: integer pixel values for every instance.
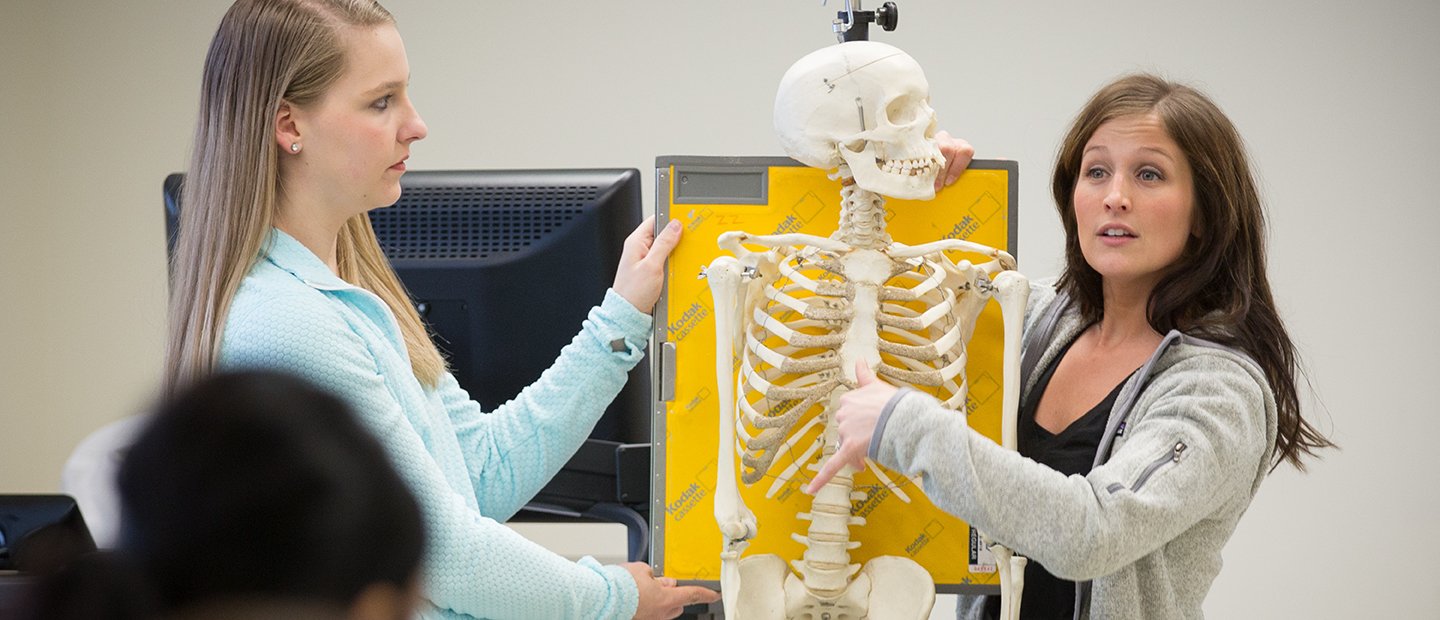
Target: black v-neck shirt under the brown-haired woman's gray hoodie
(1069, 452)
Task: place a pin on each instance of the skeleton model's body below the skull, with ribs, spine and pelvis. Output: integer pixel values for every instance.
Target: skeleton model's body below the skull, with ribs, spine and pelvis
(798, 317)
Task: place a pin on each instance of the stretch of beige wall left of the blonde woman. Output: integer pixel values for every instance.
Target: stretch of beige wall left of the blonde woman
(103, 107)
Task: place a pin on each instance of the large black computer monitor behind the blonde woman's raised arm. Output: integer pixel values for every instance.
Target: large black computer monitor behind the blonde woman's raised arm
(505, 267)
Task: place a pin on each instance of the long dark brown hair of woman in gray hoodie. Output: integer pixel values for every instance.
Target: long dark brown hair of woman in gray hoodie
(1219, 288)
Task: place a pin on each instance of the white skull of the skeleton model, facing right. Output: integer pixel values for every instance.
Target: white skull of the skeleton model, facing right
(869, 106)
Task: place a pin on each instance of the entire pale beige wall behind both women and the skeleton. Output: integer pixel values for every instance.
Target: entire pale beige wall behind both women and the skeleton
(1336, 99)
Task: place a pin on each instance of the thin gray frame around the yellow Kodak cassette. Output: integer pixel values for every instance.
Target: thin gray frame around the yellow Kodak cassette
(663, 366)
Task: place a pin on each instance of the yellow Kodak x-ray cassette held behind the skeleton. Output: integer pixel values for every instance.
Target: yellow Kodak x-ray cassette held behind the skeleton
(770, 196)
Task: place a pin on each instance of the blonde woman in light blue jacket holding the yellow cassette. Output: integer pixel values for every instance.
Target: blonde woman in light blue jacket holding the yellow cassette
(306, 126)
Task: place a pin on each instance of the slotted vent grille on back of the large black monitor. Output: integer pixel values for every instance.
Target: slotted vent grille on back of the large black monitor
(476, 222)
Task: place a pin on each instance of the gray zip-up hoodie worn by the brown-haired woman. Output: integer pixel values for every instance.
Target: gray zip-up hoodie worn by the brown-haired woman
(1187, 445)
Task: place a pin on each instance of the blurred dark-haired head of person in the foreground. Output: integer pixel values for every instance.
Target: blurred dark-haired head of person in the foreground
(258, 491)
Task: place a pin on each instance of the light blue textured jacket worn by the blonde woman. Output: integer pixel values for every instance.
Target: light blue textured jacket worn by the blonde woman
(469, 470)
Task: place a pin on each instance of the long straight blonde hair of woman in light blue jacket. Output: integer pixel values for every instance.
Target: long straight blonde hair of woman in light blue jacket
(264, 53)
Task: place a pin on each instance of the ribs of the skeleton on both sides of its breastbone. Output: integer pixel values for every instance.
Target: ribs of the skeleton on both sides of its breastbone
(790, 362)
